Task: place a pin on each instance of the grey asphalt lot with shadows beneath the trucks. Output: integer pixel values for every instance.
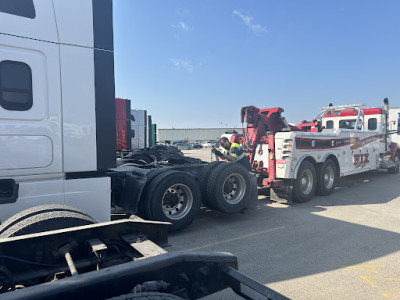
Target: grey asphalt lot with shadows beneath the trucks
(342, 246)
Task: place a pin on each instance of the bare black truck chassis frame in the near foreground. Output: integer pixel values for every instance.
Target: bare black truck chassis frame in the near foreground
(116, 258)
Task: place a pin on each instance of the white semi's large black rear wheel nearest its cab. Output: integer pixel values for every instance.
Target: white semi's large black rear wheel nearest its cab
(173, 197)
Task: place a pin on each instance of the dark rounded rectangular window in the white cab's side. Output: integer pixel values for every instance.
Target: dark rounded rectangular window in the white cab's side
(15, 85)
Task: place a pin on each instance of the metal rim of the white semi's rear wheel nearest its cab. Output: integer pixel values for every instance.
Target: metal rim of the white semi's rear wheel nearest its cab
(177, 201)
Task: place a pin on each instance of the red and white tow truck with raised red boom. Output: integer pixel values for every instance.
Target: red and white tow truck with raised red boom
(296, 161)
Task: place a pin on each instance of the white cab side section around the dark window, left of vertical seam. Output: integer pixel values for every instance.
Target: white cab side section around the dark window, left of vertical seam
(30, 102)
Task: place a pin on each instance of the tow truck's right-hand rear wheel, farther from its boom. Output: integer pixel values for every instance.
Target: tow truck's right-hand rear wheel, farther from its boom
(326, 178)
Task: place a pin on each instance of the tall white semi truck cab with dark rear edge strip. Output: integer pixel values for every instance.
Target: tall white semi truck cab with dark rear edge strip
(57, 123)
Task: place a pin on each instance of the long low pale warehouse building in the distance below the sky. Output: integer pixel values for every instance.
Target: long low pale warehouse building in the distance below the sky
(193, 134)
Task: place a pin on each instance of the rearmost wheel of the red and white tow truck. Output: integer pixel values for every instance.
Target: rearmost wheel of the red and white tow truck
(305, 183)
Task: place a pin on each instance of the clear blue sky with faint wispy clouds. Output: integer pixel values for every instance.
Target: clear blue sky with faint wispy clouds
(195, 63)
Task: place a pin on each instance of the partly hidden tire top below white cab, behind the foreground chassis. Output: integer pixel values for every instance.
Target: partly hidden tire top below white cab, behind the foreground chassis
(44, 218)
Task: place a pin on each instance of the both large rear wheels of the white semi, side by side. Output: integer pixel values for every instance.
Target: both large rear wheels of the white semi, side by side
(175, 196)
